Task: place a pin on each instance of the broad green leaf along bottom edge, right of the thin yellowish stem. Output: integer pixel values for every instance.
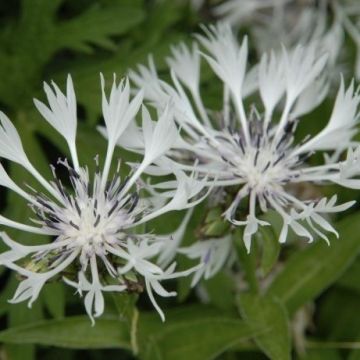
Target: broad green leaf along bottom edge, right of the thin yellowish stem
(196, 333)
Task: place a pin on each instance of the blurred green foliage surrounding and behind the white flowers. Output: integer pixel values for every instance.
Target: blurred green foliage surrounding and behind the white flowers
(298, 301)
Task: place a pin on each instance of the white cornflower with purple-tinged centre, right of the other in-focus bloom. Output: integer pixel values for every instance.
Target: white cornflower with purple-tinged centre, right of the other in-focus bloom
(251, 153)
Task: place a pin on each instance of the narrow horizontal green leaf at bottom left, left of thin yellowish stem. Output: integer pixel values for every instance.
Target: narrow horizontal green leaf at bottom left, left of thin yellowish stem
(72, 332)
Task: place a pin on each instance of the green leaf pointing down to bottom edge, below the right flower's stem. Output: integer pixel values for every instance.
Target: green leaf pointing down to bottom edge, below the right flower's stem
(269, 314)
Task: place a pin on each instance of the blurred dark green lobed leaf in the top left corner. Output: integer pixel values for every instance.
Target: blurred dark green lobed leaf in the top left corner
(31, 41)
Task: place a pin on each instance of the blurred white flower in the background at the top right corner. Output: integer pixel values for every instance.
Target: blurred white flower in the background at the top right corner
(289, 22)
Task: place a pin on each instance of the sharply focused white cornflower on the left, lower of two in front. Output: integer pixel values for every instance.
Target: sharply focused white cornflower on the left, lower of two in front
(94, 246)
